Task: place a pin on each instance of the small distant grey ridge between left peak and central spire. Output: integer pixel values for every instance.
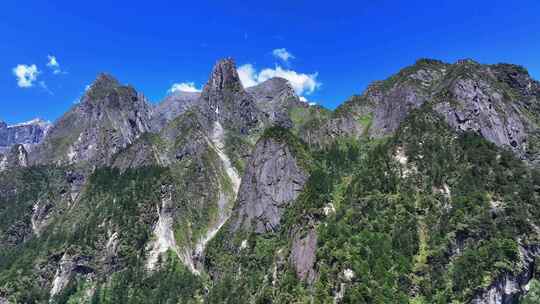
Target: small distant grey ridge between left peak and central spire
(173, 106)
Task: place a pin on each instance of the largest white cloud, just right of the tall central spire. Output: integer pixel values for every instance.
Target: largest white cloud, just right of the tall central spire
(300, 82)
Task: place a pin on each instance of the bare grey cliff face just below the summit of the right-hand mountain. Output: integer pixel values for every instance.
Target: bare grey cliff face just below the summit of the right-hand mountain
(486, 104)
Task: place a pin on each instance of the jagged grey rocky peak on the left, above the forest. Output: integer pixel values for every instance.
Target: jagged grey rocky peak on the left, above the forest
(109, 117)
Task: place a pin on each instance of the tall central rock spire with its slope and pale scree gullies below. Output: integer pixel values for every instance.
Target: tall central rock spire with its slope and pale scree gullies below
(197, 148)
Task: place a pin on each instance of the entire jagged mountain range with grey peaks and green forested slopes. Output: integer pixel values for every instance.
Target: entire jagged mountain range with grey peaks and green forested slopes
(423, 189)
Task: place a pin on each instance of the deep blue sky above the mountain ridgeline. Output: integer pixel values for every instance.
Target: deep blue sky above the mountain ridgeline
(339, 47)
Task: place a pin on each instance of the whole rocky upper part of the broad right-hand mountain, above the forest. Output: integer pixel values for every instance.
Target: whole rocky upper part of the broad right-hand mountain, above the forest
(500, 102)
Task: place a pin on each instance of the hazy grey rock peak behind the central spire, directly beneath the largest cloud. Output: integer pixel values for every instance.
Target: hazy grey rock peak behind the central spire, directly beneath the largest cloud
(275, 97)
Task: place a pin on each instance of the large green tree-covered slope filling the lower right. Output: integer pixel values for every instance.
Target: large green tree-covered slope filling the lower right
(425, 215)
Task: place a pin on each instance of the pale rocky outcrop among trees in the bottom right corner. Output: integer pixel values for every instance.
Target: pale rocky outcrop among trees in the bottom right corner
(509, 288)
